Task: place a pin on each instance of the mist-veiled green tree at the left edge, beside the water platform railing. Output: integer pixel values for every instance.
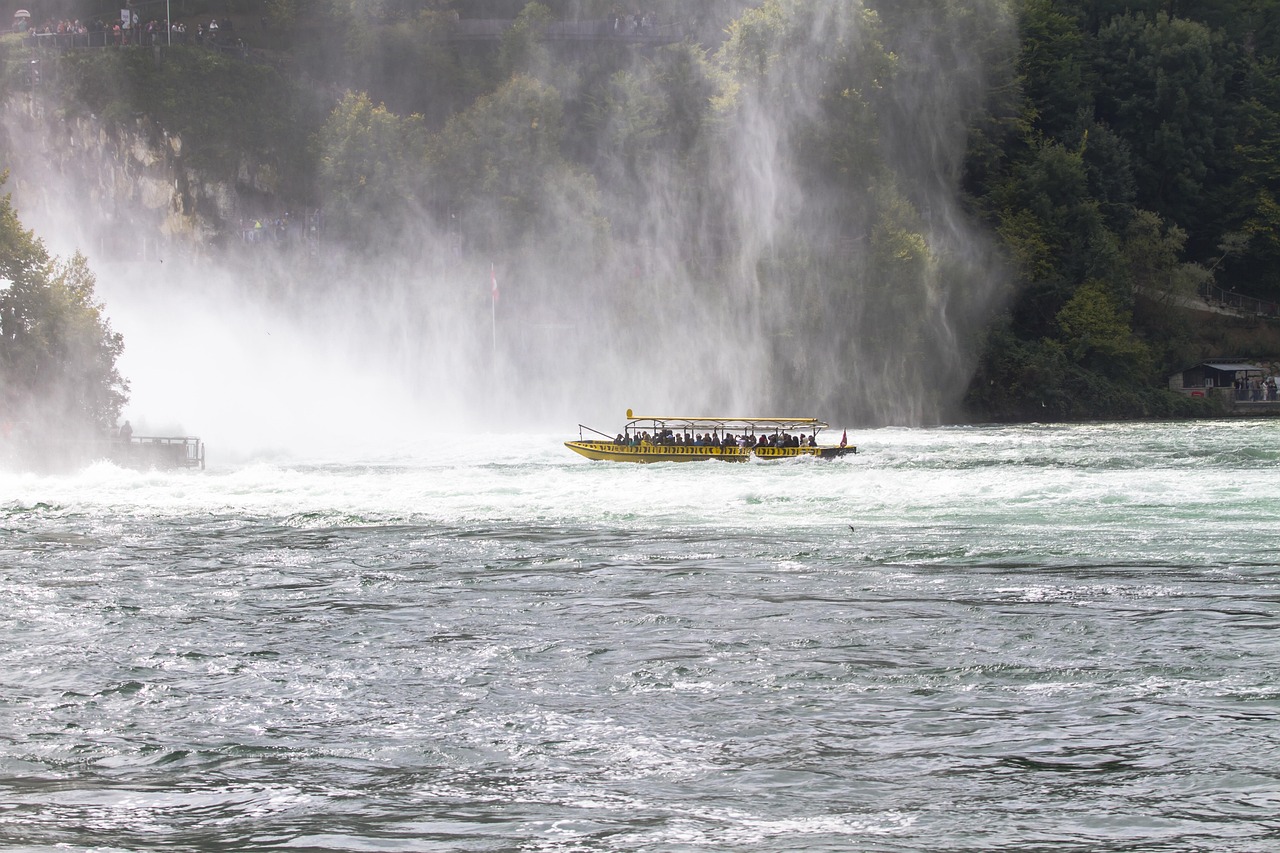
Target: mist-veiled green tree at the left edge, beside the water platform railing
(58, 353)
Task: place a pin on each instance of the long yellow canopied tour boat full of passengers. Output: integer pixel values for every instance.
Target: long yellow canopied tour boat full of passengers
(691, 440)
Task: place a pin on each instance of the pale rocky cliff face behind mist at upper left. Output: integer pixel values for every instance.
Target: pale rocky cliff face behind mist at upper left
(126, 190)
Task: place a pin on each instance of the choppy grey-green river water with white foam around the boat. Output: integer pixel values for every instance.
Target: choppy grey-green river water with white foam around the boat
(1036, 638)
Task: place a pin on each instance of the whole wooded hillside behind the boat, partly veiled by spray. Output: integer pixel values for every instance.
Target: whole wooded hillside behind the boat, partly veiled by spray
(892, 212)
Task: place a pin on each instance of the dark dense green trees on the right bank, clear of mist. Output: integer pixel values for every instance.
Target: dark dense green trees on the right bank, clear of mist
(1136, 165)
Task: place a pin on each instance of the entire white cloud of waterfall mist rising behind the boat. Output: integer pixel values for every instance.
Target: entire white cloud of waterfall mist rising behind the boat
(802, 253)
